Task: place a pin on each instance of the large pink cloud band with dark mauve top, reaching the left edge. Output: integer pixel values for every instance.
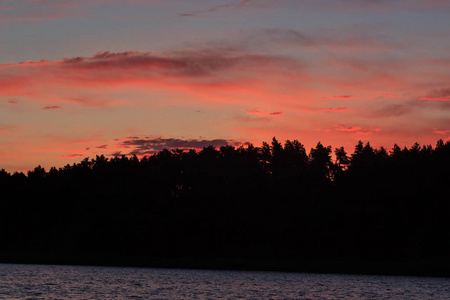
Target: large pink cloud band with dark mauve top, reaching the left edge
(209, 72)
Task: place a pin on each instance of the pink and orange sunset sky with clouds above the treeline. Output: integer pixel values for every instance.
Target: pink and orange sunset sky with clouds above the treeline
(86, 77)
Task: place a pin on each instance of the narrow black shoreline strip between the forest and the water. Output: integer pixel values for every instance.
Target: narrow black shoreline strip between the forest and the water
(422, 268)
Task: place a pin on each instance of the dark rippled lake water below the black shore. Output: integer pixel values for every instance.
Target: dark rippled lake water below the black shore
(76, 282)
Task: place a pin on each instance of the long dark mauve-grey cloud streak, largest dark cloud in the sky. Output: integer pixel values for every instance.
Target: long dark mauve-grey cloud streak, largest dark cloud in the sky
(188, 63)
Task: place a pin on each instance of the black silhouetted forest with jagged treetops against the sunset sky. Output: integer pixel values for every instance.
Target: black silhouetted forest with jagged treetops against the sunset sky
(269, 202)
